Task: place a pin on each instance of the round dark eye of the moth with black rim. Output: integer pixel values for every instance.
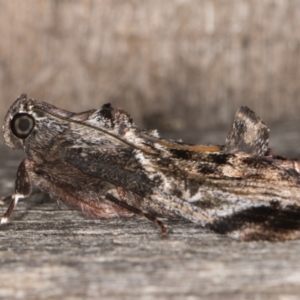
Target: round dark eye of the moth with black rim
(22, 125)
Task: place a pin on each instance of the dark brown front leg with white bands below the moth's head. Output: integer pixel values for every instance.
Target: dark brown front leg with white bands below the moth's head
(22, 189)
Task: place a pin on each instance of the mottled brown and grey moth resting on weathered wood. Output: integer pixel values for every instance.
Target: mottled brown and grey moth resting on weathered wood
(101, 163)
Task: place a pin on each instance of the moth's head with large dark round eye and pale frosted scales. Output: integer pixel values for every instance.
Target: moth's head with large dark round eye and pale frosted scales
(19, 123)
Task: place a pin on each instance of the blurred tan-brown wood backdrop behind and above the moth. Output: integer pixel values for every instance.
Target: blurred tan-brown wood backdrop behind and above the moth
(175, 65)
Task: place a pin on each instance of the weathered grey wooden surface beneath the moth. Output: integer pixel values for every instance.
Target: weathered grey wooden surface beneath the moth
(48, 252)
